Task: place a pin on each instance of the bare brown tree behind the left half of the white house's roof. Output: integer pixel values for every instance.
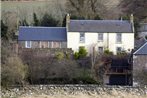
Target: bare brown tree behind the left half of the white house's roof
(86, 8)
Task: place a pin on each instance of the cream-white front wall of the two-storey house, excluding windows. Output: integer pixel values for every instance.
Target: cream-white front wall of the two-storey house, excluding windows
(91, 39)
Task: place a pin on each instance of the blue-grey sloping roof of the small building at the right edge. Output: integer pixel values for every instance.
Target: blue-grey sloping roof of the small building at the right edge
(142, 50)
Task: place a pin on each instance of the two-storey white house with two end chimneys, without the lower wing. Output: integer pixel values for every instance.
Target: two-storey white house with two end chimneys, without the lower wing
(114, 35)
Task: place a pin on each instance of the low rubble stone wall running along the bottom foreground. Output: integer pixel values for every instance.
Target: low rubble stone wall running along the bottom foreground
(51, 90)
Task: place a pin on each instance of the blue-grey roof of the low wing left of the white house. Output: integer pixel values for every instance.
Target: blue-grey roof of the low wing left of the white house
(42, 33)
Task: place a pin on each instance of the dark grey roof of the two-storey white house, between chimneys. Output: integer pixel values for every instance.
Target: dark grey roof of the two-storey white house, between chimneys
(104, 26)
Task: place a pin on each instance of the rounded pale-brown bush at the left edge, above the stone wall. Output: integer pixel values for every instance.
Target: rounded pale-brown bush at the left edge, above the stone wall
(13, 71)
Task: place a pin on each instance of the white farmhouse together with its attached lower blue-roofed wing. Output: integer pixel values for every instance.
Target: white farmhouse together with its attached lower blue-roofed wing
(114, 35)
